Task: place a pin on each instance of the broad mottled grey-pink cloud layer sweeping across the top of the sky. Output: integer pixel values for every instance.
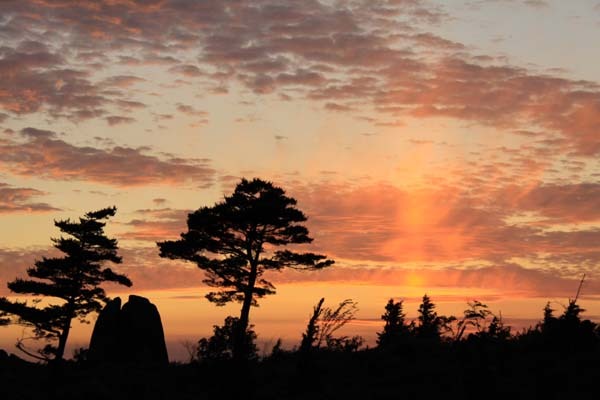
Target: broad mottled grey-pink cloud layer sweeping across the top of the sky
(378, 55)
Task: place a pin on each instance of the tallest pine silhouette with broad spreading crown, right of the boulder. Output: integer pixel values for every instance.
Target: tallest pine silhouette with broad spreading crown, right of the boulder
(235, 242)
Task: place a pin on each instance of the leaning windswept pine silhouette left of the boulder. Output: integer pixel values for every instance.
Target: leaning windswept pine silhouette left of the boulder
(75, 279)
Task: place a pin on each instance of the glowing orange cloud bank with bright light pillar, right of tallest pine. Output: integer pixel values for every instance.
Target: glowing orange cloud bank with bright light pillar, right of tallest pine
(447, 225)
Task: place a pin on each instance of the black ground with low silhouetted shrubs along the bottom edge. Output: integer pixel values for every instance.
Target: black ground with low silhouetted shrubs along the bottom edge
(485, 359)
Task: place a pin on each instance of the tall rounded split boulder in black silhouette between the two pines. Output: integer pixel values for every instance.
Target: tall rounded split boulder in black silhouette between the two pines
(131, 334)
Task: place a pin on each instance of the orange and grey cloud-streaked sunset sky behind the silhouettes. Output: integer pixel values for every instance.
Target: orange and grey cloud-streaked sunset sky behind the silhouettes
(440, 147)
